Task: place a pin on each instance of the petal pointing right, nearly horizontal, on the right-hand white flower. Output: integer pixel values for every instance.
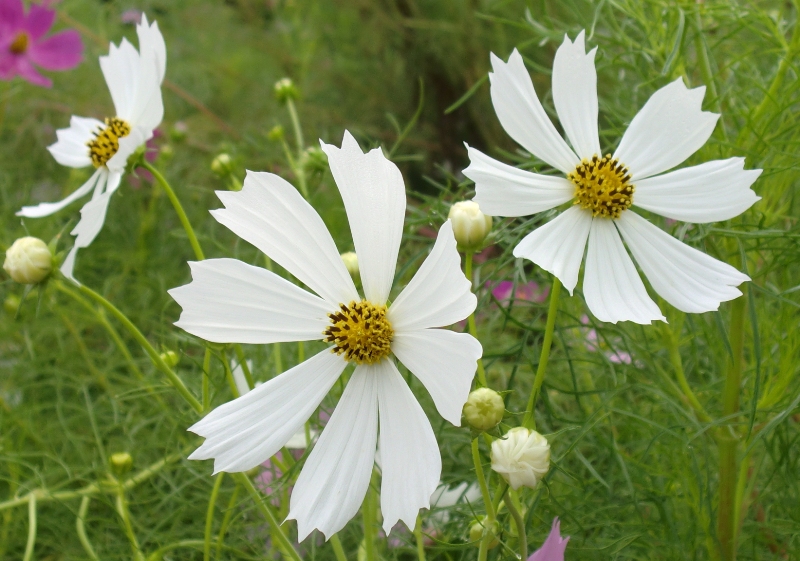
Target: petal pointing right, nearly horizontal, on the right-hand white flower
(716, 190)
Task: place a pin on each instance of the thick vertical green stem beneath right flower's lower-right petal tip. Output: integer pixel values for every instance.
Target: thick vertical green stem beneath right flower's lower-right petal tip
(728, 439)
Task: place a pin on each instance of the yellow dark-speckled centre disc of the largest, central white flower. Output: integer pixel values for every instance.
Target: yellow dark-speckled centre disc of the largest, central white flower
(360, 332)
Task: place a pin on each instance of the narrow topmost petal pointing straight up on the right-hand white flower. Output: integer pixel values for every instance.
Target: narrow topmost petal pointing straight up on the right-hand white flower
(575, 95)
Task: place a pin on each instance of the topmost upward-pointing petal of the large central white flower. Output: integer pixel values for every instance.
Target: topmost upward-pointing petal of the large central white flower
(375, 200)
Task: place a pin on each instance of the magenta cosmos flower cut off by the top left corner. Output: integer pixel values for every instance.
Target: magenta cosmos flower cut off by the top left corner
(23, 44)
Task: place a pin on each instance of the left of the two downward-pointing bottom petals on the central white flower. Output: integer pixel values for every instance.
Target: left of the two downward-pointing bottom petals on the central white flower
(336, 476)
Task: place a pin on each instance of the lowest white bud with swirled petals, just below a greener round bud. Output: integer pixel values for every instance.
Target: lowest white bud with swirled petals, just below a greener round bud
(522, 457)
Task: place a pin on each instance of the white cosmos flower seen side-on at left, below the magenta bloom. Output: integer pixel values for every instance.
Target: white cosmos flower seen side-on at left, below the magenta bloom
(134, 80)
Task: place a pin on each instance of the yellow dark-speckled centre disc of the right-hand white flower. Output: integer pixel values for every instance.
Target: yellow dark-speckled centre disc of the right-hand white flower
(603, 186)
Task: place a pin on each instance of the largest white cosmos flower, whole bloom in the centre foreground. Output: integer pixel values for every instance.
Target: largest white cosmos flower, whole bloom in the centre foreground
(230, 301)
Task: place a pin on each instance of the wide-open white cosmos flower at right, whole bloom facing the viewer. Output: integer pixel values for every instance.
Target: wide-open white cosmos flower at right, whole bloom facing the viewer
(667, 130)
